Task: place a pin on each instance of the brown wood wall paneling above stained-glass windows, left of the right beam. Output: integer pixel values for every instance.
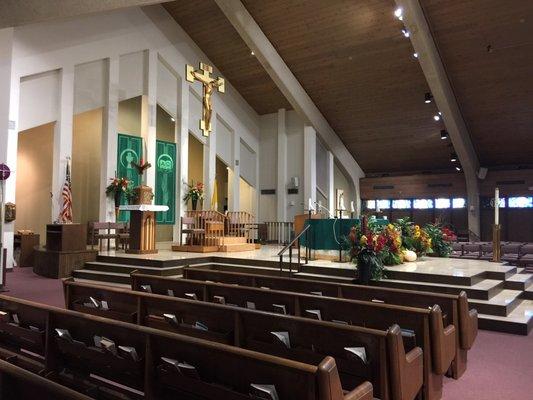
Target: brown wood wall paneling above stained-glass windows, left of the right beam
(408, 186)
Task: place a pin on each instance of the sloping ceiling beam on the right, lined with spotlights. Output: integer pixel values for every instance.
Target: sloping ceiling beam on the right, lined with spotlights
(444, 97)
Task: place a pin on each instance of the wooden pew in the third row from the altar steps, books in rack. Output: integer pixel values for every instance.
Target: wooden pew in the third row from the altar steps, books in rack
(251, 329)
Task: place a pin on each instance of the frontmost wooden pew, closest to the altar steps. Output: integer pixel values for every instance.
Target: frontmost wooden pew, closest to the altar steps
(454, 307)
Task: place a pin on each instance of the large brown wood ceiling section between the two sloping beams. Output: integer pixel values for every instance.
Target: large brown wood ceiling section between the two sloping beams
(352, 59)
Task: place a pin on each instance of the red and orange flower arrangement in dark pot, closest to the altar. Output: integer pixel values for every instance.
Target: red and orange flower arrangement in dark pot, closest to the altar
(365, 251)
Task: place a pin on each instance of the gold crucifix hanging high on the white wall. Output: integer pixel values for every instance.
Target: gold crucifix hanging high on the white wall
(203, 74)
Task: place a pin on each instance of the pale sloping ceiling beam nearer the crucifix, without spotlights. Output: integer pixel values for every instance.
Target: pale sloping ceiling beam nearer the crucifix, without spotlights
(280, 73)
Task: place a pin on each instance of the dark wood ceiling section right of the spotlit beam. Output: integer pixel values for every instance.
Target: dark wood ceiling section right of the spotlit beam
(487, 49)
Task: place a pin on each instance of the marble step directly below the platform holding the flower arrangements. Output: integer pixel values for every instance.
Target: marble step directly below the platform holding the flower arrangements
(483, 290)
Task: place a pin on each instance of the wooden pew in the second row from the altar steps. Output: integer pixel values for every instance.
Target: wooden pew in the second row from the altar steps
(437, 342)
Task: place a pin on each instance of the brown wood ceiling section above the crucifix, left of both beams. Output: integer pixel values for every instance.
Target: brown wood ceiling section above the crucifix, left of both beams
(205, 23)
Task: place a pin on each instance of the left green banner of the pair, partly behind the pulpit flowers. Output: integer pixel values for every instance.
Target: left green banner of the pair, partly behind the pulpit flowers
(129, 151)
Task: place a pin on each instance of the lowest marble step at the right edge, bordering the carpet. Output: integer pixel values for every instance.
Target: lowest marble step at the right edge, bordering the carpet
(518, 322)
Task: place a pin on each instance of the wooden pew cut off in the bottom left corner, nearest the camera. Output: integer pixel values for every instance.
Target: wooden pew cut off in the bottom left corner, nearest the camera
(17, 383)
